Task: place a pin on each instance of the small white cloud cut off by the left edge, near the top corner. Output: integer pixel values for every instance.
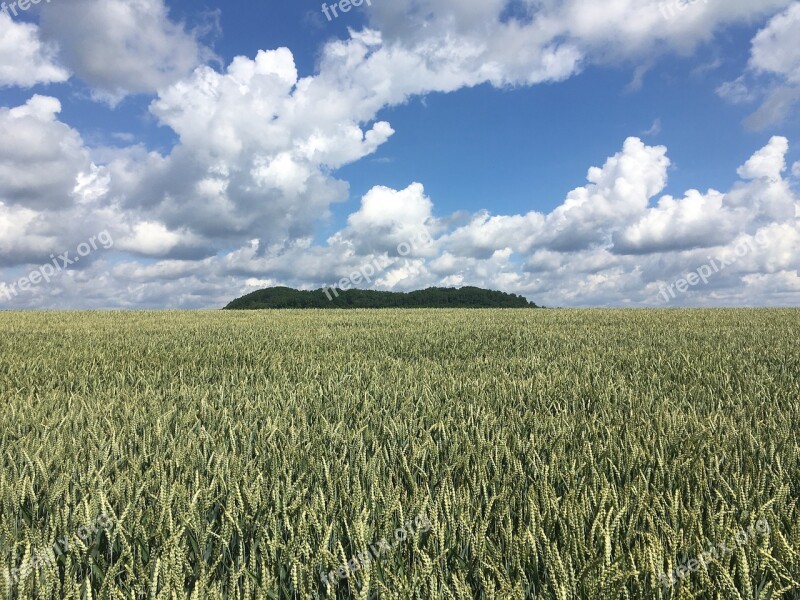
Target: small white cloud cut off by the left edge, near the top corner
(25, 59)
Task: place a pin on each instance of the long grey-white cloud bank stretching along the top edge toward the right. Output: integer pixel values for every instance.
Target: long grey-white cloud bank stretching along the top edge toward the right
(530, 41)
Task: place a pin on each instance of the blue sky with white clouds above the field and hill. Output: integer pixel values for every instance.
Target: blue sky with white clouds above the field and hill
(176, 154)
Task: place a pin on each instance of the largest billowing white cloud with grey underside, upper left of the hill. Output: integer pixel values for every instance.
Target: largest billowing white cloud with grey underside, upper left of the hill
(257, 146)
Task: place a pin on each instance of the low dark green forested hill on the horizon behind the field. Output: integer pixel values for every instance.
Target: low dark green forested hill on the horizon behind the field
(466, 297)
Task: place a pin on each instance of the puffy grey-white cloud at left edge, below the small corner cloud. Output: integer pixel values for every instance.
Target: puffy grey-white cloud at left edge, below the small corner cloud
(52, 196)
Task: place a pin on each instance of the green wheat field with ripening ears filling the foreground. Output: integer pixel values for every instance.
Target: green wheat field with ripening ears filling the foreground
(418, 454)
